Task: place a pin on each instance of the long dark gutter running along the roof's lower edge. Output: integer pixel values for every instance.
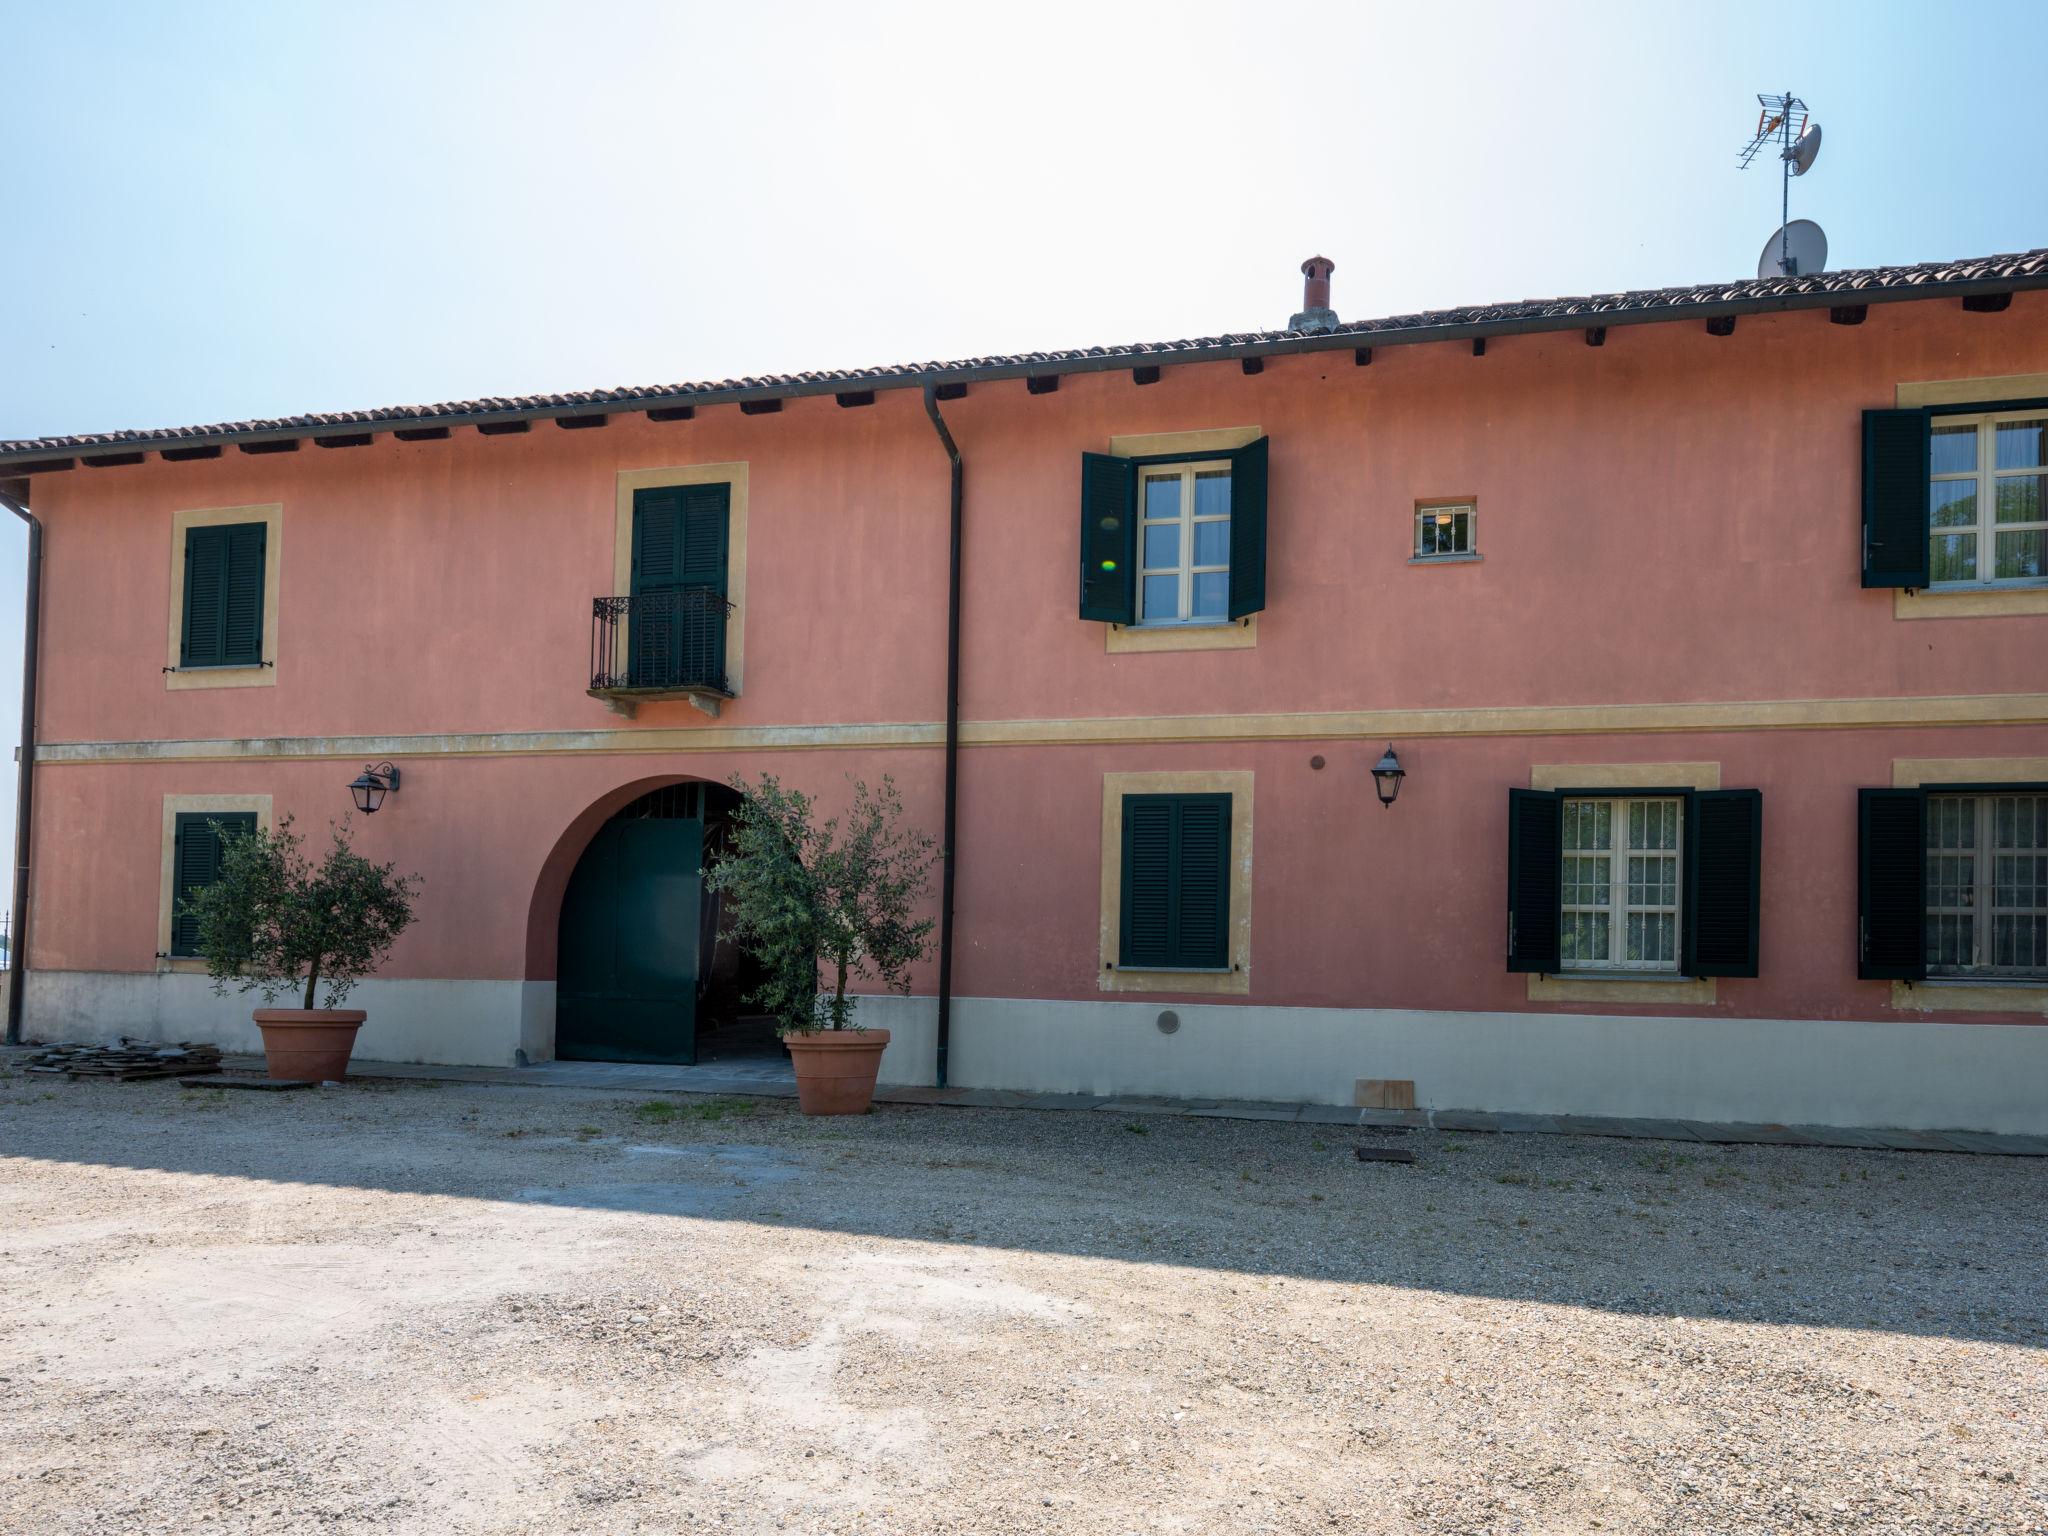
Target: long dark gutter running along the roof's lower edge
(1588, 314)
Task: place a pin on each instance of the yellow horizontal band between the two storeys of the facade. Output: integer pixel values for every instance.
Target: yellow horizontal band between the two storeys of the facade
(1113, 730)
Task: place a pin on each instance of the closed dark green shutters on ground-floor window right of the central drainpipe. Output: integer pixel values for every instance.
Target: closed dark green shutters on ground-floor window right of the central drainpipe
(1177, 884)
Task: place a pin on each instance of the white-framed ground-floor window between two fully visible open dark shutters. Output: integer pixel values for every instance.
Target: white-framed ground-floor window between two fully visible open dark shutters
(1621, 876)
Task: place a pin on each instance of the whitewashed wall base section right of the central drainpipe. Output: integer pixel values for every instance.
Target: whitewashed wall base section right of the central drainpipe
(1793, 1072)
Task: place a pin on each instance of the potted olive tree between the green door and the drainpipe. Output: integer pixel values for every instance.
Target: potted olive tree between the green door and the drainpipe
(835, 898)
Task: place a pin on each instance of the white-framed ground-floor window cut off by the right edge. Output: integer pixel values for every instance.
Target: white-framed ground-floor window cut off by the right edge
(1988, 886)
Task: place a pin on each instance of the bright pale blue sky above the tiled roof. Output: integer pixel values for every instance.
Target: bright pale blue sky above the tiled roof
(255, 210)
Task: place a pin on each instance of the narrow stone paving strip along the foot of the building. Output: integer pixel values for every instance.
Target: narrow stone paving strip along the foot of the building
(775, 1080)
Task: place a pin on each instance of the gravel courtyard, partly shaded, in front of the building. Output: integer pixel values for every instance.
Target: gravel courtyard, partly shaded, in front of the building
(413, 1308)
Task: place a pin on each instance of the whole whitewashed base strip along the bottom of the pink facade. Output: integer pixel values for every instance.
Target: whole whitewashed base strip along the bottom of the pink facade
(1760, 1070)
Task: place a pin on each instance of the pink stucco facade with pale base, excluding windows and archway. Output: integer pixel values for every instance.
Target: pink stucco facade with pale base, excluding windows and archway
(1666, 585)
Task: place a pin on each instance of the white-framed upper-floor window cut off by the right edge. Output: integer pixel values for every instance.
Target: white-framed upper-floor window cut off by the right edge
(1988, 507)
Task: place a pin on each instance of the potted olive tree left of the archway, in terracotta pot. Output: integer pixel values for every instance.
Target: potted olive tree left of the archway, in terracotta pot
(275, 923)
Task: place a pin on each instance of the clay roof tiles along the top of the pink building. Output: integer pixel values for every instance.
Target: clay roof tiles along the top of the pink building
(1879, 284)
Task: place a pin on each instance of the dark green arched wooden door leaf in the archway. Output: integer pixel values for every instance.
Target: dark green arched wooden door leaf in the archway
(626, 982)
